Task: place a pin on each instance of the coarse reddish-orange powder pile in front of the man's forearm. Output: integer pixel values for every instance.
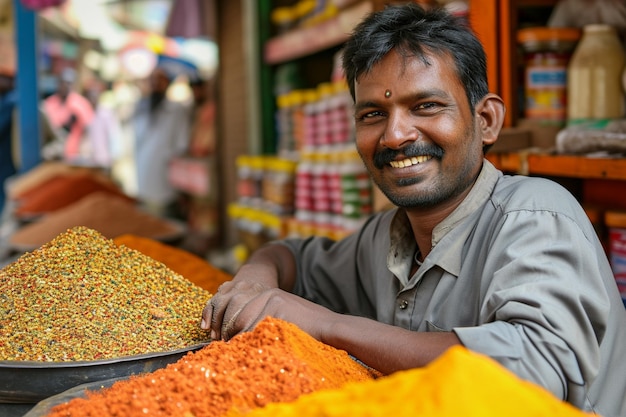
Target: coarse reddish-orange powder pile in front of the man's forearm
(275, 362)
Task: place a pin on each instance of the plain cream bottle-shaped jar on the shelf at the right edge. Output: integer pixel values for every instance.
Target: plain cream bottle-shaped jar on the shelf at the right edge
(594, 82)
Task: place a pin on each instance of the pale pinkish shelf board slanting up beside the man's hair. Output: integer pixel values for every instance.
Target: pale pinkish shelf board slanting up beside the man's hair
(301, 42)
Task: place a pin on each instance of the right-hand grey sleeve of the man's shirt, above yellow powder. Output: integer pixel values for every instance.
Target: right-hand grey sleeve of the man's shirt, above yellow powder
(545, 310)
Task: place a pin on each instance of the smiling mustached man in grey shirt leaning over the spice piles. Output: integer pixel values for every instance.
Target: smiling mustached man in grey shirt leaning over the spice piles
(508, 266)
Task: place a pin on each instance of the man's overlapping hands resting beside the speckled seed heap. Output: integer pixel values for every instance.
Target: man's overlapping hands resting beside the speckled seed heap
(239, 305)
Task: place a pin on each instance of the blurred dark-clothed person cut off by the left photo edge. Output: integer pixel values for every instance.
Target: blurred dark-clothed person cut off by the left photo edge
(8, 101)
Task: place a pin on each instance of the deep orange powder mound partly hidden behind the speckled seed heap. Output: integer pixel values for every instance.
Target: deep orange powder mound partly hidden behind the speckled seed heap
(190, 266)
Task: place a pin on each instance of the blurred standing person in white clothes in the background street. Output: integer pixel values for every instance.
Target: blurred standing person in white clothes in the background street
(161, 128)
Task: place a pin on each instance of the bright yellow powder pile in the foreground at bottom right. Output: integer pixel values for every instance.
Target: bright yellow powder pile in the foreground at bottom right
(459, 383)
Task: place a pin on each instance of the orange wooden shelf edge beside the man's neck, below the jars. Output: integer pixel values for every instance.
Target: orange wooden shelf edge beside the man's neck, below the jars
(572, 166)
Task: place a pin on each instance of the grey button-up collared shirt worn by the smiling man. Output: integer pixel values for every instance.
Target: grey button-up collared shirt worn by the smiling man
(516, 271)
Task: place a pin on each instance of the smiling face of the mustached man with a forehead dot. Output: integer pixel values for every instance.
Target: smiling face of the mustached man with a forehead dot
(415, 131)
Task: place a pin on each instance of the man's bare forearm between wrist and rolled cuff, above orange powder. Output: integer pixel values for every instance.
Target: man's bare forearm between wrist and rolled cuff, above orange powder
(384, 347)
